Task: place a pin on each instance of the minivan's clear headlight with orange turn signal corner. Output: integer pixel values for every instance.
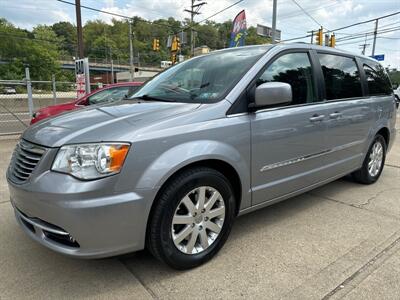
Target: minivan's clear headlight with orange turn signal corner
(91, 161)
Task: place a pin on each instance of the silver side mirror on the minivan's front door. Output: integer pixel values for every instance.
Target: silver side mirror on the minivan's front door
(273, 93)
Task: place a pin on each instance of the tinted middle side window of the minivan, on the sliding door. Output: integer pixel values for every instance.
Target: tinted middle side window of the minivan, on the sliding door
(342, 78)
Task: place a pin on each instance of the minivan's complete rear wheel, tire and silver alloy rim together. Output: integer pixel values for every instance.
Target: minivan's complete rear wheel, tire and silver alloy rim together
(373, 163)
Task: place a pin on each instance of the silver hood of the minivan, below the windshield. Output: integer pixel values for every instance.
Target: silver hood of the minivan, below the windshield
(102, 123)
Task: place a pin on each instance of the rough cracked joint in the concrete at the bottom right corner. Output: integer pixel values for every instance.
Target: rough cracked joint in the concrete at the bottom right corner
(373, 264)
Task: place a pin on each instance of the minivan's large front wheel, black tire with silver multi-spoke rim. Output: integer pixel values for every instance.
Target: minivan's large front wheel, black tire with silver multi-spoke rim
(164, 235)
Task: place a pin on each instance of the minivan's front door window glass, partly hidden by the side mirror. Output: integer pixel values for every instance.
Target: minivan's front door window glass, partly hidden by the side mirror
(294, 69)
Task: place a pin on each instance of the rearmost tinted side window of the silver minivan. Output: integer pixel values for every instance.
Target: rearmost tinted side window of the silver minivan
(377, 79)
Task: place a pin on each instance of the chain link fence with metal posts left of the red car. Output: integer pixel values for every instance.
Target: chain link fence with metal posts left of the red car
(19, 99)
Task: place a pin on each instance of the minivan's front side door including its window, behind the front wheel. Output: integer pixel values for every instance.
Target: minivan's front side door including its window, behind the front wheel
(288, 142)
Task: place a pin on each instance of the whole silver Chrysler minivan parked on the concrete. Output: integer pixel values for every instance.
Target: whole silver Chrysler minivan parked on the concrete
(206, 140)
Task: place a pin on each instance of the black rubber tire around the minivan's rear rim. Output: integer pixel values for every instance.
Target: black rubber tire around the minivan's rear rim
(364, 175)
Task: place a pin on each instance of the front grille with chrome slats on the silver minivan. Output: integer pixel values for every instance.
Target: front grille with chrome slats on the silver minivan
(25, 158)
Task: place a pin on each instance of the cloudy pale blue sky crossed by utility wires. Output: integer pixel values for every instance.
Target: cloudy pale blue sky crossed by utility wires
(291, 20)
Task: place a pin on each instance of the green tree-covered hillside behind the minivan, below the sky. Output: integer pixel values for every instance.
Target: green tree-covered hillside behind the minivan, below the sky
(44, 46)
